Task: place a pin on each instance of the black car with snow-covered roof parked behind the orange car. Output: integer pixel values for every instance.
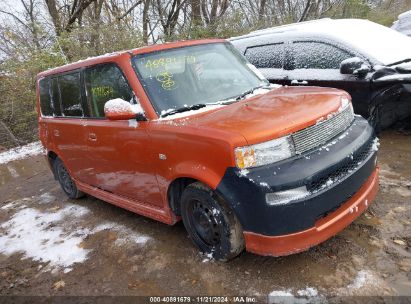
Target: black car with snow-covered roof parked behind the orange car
(368, 60)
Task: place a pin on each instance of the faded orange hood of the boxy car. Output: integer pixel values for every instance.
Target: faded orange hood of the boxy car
(277, 113)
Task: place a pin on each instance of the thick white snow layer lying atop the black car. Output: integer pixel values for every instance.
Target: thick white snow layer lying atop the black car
(379, 42)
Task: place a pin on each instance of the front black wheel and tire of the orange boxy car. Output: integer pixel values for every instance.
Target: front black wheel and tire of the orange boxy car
(210, 223)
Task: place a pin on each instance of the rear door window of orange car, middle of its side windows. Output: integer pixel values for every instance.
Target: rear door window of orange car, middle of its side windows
(70, 94)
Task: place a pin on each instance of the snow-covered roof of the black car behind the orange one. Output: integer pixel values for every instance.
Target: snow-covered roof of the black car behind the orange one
(379, 44)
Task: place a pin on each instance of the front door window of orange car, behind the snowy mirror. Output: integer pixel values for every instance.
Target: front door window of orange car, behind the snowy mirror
(105, 82)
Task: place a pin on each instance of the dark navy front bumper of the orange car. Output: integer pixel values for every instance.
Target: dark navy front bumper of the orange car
(348, 161)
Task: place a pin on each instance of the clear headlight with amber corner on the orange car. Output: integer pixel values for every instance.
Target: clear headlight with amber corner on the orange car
(265, 153)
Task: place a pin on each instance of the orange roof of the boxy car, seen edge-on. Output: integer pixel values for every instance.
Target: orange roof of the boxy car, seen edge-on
(110, 57)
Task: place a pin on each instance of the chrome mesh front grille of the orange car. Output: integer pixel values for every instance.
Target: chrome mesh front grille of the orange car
(320, 133)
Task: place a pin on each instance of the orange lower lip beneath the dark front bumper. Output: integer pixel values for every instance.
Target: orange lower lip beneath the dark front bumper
(323, 228)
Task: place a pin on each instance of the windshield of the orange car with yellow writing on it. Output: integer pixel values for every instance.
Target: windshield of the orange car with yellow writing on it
(195, 75)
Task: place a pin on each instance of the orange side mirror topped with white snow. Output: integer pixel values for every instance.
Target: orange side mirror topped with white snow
(119, 109)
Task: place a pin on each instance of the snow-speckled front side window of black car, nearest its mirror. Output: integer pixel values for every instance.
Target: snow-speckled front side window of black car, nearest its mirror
(318, 55)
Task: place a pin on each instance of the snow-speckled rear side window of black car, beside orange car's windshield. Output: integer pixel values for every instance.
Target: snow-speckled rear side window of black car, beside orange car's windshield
(267, 56)
